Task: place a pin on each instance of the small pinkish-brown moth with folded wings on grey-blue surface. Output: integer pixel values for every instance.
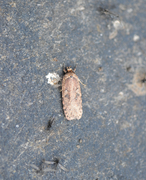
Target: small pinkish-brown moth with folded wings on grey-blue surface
(71, 95)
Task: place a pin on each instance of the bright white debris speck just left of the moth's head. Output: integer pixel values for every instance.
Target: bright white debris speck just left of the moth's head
(53, 78)
